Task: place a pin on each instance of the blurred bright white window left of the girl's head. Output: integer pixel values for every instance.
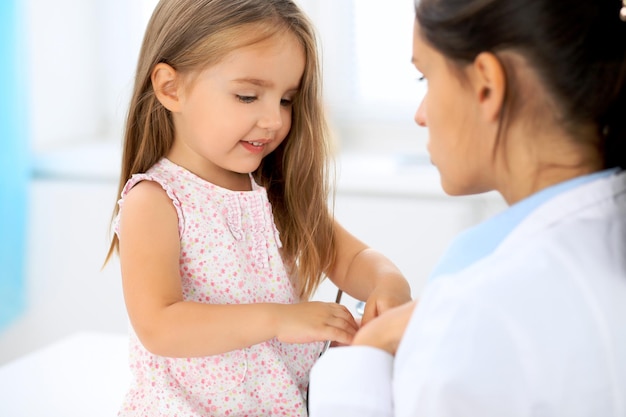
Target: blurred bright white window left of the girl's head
(81, 58)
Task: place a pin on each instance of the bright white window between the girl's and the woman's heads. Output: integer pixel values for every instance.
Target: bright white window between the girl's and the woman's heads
(370, 84)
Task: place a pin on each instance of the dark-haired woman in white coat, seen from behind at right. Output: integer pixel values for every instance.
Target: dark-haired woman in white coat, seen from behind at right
(526, 313)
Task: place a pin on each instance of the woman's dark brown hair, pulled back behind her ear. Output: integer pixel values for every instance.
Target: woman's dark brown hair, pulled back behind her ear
(577, 47)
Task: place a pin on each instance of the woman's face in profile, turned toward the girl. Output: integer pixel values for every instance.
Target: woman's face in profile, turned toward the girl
(458, 150)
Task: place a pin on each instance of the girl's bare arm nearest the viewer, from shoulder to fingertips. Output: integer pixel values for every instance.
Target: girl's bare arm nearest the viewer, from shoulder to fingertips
(169, 326)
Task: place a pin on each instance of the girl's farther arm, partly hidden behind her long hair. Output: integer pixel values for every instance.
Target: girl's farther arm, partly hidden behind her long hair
(367, 275)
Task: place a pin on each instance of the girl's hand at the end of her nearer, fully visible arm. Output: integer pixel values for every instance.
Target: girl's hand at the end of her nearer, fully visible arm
(315, 321)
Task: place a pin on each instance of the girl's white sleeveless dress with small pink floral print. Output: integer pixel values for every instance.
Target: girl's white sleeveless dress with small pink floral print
(229, 255)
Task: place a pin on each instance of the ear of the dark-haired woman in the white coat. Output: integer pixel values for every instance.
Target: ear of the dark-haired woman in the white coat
(489, 85)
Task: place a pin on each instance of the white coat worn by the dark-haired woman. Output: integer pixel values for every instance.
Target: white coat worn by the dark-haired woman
(537, 328)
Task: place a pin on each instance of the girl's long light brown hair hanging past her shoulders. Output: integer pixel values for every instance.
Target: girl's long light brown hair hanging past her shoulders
(191, 35)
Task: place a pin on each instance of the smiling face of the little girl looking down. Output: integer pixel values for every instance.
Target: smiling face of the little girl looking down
(236, 112)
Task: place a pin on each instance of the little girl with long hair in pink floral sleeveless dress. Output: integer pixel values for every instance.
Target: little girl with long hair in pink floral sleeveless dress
(222, 227)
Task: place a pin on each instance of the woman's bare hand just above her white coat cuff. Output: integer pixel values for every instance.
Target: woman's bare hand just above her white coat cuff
(385, 331)
